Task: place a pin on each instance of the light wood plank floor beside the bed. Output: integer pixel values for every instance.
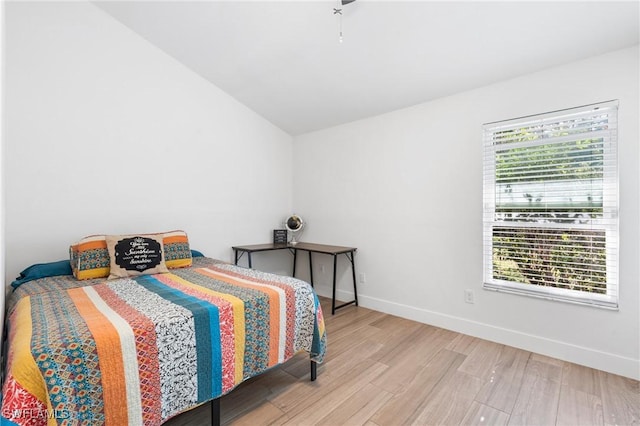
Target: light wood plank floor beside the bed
(384, 370)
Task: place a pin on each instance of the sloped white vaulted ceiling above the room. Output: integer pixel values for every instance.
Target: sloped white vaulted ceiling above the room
(284, 59)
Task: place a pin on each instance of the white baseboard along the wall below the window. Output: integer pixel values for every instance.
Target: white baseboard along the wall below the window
(588, 357)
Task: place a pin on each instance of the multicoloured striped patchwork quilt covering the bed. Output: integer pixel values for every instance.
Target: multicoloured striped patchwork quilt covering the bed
(141, 350)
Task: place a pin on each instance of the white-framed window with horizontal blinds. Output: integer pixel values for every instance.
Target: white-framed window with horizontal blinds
(551, 205)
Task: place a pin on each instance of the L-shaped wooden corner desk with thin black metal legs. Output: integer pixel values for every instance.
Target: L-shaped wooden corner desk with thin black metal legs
(334, 251)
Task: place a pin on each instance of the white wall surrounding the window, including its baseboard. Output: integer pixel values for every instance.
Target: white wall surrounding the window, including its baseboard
(406, 189)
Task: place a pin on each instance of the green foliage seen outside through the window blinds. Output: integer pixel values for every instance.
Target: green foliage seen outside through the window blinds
(553, 255)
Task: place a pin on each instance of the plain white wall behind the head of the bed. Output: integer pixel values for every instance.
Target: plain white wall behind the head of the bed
(107, 134)
